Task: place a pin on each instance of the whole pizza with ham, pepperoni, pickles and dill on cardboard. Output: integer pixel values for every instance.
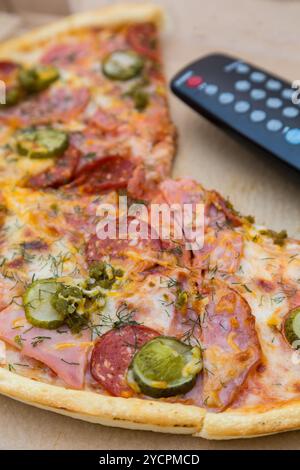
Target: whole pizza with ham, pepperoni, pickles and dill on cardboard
(131, 328)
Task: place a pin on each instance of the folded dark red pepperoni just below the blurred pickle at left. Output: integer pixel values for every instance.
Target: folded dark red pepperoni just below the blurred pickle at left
(59, 174)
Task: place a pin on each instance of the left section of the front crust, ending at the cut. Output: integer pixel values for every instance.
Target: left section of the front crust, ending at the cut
(112, 411)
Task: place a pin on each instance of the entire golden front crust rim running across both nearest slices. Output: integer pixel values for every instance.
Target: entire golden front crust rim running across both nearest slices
(134, 413)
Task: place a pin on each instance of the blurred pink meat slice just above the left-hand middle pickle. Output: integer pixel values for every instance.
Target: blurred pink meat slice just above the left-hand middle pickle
(55, 105)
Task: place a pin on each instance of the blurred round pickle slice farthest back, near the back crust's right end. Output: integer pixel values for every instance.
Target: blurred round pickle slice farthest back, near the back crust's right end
(122, 65)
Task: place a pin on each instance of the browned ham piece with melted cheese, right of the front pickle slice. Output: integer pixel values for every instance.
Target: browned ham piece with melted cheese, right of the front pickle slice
(230, 346)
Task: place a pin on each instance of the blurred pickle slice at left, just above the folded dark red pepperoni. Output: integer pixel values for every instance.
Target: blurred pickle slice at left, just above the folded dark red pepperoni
(42, 143)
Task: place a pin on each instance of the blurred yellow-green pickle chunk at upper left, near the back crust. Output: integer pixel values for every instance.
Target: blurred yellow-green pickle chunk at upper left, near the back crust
(38, 78)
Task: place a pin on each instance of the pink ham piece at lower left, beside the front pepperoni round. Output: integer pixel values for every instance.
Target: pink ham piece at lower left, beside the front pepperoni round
(60, 350)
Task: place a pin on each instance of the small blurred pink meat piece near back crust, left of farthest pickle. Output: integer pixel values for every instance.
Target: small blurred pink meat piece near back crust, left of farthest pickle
(64, 54)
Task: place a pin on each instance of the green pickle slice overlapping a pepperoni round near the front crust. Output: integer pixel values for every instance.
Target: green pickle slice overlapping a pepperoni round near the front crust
(165, 367)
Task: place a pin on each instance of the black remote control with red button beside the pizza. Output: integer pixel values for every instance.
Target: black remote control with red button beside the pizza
(246, 99)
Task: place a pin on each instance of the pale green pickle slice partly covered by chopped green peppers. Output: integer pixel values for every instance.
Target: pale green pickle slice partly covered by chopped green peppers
(38, 306)
